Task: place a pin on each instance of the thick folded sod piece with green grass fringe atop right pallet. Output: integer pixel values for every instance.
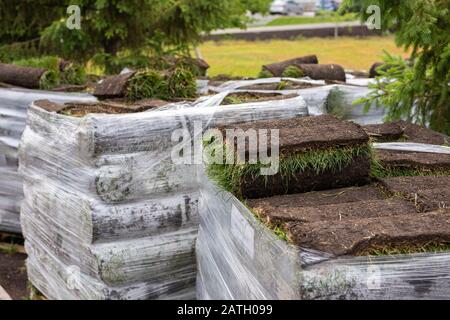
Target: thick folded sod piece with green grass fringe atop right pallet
(315, 153)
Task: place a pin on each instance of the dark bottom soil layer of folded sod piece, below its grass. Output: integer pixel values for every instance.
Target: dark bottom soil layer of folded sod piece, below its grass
(354, 174)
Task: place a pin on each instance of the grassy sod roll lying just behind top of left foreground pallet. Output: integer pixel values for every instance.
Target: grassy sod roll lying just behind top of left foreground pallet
(148, 83)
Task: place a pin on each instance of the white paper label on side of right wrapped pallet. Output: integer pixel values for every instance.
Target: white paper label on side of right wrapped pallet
(242, 231)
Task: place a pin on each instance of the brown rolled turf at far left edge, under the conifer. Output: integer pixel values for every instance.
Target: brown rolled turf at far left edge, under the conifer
(27, 77)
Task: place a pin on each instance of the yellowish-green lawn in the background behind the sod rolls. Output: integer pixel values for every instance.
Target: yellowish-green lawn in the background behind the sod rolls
(245, 58)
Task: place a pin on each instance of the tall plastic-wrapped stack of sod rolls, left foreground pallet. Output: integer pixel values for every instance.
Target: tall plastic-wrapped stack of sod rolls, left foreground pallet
(107, 212)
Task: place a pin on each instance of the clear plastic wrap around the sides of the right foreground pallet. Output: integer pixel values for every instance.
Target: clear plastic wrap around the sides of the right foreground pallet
(239, 258)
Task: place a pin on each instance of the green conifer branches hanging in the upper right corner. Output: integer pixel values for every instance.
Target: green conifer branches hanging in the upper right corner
(417, 90)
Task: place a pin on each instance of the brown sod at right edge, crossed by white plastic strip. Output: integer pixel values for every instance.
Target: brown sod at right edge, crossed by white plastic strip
(408, 163)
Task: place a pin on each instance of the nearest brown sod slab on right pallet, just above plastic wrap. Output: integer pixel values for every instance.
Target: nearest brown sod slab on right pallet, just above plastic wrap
(357, 237)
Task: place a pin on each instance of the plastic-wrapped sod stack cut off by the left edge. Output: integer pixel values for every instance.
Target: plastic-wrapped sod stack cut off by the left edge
(13, 107)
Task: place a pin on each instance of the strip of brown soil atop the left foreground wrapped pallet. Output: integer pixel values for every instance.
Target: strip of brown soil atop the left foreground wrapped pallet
(82, 109)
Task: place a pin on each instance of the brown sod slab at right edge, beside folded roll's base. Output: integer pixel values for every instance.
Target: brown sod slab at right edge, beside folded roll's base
(409, 185)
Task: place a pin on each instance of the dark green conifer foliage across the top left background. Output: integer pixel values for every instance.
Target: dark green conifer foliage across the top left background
(112, 28)
